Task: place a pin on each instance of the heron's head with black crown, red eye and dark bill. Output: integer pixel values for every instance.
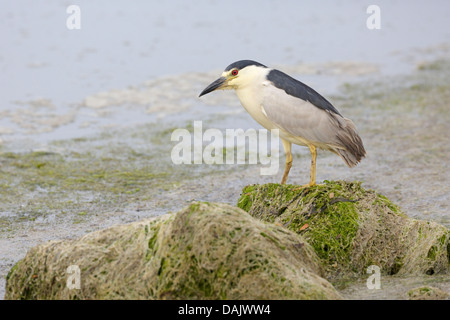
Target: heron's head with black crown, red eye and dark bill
(237, 75)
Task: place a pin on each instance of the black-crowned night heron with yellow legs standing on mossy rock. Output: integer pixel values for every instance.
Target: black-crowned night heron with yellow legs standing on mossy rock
(302, 116)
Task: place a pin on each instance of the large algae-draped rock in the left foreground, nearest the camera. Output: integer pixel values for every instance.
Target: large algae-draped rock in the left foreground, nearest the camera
(206, 251)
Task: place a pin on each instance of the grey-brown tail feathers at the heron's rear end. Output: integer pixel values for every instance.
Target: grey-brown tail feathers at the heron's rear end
(353, 149)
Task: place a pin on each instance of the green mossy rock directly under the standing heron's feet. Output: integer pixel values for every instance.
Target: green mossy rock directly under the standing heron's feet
(351, 228)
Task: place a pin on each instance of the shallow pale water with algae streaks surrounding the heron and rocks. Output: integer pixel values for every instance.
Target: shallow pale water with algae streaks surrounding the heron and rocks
(109, 95)
